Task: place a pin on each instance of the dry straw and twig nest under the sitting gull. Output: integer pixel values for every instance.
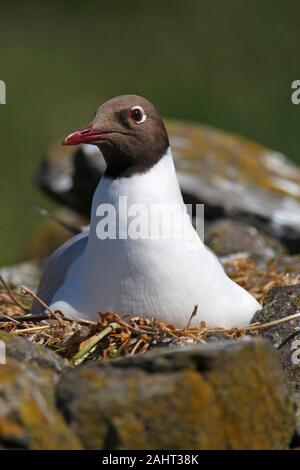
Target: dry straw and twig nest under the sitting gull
(79, 340)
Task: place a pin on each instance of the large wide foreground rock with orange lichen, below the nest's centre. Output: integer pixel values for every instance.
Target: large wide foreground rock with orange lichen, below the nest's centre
(198, 397)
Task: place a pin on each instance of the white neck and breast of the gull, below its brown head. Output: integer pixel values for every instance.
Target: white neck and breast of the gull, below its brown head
(162, 278)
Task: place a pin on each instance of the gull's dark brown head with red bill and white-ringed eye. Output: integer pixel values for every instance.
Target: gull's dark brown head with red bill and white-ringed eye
(130, 134)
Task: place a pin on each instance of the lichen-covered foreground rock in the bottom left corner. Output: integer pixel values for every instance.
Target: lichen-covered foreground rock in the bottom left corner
(29, 418)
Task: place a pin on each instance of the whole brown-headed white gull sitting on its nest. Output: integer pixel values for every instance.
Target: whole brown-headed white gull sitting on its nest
(118, 265)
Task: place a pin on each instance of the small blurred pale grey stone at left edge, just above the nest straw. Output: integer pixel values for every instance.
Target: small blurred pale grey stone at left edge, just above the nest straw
(27, 273)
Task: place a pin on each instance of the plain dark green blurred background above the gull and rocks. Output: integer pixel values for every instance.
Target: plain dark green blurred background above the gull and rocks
(226, 63)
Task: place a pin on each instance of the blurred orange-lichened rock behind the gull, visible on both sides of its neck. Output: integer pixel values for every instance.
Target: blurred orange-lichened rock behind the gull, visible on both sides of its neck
(232, 176)
